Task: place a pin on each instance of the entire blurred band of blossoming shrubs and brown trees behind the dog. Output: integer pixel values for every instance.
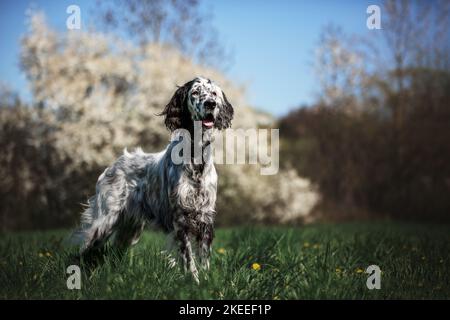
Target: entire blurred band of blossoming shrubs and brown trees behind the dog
(374, 144)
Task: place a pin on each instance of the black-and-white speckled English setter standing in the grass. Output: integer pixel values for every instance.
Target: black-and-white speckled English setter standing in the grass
(142, 188)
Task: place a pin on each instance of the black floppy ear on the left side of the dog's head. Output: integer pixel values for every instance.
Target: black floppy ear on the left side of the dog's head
(174, 111)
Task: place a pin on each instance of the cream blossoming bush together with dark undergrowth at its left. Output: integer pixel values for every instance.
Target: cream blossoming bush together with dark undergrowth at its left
(95, 95)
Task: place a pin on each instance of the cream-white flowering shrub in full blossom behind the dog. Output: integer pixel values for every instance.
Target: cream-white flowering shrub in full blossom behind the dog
(97, 95)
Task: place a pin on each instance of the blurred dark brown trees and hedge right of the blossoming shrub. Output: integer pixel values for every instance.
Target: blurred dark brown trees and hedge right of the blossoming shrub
(377, 139)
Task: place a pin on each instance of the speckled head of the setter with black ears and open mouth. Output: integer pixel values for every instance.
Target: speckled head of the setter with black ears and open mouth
(198, 100)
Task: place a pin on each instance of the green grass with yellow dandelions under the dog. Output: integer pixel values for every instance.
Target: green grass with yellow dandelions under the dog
(311, 262)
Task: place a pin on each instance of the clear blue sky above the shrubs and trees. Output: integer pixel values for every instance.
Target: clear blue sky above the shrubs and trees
(272, 42)
